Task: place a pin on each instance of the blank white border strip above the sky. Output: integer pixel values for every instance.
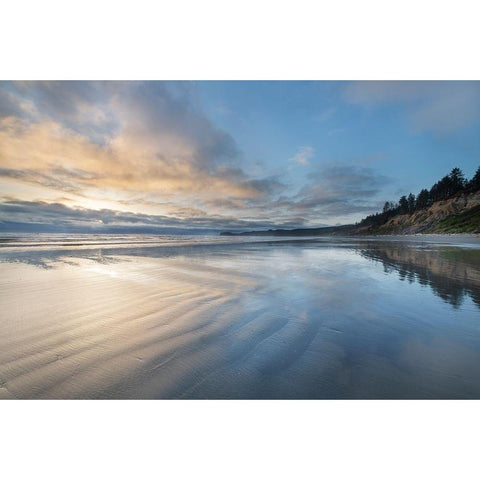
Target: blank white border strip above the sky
(248, 39)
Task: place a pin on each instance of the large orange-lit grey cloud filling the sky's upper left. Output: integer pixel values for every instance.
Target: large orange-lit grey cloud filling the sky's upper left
(153, 138)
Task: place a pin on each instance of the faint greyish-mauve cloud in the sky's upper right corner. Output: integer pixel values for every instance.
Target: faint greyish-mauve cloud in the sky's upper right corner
(440, 107)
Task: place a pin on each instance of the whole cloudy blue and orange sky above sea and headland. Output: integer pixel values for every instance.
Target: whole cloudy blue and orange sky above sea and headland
(200, 156)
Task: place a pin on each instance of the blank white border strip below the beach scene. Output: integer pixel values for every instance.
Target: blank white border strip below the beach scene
(240, 439)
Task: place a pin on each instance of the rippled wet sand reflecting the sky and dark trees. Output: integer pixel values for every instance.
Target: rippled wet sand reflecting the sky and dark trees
(328, 319)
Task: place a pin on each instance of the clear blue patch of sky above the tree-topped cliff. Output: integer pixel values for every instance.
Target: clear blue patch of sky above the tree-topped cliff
(273, 119)
